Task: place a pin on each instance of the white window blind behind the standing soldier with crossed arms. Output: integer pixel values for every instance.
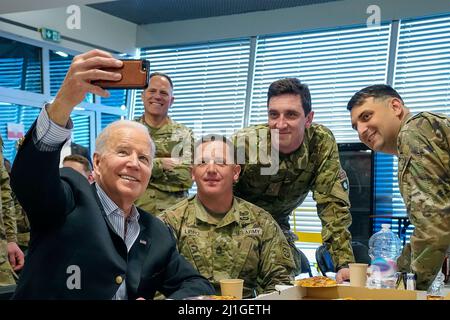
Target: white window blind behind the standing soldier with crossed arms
(209, 84)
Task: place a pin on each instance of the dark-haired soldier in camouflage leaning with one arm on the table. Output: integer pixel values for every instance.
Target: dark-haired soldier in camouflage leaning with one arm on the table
(308, 160)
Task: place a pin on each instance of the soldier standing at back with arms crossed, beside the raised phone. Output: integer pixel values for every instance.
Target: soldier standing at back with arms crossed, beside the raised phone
(171, 177)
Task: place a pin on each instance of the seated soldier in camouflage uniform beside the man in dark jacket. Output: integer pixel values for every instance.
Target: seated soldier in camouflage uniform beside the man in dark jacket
(224, 236)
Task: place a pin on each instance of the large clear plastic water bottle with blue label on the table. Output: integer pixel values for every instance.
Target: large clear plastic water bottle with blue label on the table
(384, 249)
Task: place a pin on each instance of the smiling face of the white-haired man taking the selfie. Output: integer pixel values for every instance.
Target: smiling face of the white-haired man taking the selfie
(123, 166)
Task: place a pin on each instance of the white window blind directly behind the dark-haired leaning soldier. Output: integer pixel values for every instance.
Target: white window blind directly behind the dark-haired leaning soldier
(335, 64)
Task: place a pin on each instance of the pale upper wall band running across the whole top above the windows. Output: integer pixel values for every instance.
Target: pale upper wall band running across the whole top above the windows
(100, 29)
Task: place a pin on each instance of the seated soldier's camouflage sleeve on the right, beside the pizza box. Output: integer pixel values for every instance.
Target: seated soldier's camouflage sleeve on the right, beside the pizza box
(276, 263)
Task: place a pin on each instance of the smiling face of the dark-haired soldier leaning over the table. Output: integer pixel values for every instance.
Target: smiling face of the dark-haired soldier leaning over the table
(286, 114)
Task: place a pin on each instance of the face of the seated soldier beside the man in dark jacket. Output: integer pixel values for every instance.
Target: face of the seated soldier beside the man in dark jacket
(214, 170)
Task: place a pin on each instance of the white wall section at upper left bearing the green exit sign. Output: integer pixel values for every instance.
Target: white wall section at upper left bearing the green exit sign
(97, 28)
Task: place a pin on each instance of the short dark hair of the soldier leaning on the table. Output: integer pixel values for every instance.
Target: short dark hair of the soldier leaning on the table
(291, 86)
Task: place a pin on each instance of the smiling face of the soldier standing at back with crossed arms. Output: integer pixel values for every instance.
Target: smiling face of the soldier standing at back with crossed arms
(157, 98)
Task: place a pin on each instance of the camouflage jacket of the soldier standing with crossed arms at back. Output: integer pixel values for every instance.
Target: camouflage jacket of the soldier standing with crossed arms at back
(167, 187)
